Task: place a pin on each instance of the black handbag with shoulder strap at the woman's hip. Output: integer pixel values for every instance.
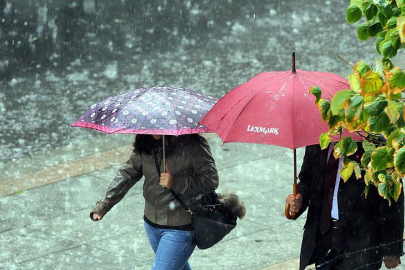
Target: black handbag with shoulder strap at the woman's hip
(211, 220)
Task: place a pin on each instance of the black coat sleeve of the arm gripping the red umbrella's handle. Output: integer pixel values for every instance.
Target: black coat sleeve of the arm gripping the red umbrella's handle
(305, 176)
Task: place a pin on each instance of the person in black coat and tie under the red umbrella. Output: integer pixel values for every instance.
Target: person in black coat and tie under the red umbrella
(360, 232)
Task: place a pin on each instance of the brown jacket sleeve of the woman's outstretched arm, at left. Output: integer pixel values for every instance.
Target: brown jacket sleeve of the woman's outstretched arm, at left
(127, 176)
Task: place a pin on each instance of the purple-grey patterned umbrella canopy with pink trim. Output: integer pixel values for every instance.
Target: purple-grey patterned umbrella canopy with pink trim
(149, 110)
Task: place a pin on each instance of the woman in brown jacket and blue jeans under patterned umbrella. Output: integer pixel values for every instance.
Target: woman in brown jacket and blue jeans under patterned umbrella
(189, 171)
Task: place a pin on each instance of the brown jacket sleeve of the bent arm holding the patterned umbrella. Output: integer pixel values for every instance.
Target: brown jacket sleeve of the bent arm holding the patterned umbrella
(205, 177)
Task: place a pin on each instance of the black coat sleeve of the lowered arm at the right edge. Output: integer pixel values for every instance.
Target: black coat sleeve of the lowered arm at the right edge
(392, 221)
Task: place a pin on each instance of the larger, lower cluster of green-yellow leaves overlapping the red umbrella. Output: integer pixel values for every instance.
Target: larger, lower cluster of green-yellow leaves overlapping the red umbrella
(373, 106)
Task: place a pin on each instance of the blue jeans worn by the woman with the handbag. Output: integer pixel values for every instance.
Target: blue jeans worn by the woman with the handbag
(172, 248)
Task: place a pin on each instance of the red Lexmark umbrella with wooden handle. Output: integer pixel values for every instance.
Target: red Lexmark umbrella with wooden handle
(275, 108)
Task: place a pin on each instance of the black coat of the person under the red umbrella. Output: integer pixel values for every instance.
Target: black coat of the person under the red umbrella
(368, 225)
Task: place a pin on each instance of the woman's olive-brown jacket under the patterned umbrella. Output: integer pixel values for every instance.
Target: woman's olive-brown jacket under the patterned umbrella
(193, 171)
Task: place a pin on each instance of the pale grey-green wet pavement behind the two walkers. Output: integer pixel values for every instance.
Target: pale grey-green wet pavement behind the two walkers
(48, 227)
